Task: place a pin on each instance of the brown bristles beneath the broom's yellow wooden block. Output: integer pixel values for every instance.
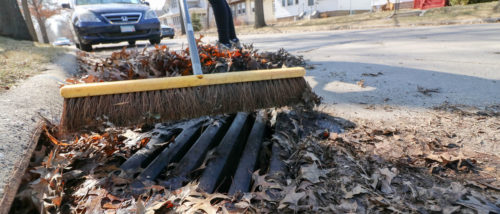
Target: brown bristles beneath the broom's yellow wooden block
(183, 103)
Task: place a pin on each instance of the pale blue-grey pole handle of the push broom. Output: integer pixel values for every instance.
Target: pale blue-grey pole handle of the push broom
(193, 49)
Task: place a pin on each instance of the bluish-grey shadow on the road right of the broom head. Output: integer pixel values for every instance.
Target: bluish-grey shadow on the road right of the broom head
(362, 83)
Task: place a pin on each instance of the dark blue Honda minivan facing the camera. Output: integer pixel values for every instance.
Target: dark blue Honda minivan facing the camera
(112, 21)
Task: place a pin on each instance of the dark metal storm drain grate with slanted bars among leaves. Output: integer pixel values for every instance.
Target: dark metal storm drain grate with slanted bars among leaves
(221, 153)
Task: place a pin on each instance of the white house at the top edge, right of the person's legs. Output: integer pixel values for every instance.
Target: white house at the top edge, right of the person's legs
(290, 9)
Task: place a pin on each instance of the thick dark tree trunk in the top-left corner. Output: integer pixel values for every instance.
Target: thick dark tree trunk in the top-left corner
(12, 22)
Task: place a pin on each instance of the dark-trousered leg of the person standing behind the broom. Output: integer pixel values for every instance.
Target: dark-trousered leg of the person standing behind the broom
(221, 20)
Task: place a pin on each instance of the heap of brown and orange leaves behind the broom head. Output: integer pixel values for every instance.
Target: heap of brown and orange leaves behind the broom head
(162, 62)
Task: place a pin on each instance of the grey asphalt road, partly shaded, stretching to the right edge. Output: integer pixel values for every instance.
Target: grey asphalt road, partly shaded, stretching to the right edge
(461, 63)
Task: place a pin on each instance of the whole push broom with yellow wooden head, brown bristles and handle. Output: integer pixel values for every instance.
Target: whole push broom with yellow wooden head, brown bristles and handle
(172, 98)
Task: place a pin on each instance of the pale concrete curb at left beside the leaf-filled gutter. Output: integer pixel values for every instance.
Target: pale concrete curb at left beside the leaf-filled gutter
(20, 121)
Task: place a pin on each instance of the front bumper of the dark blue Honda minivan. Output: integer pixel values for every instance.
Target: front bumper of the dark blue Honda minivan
(95, 33)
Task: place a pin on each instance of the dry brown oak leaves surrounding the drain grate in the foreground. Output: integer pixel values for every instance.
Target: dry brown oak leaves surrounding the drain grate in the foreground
(363, 170)
